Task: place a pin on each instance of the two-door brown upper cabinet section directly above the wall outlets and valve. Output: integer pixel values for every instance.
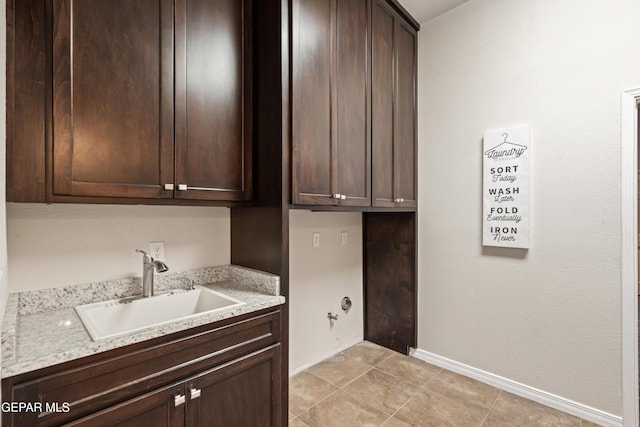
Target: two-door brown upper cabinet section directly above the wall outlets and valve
(331, 154)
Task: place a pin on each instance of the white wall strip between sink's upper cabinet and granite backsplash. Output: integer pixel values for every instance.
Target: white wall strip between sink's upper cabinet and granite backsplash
(65, 244)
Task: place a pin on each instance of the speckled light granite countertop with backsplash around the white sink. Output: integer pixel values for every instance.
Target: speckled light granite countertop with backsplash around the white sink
(41, 328)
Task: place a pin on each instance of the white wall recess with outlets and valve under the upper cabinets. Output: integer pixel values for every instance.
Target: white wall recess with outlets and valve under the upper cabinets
(319, 279)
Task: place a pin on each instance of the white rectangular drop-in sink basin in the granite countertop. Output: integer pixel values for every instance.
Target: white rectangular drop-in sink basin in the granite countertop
(108, 319)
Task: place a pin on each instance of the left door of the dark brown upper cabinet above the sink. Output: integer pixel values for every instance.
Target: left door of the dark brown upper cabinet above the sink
(112, 98)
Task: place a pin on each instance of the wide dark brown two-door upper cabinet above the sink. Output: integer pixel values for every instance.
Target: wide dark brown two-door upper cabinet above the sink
(146, 99)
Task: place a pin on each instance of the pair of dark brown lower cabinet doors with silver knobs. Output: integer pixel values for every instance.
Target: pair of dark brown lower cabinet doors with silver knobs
(239, 393)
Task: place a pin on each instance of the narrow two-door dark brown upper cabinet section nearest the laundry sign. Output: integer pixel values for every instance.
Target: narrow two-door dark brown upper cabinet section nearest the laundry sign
(394, 146)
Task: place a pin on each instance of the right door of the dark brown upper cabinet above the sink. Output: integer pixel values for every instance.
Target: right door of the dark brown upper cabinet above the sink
(213, 99)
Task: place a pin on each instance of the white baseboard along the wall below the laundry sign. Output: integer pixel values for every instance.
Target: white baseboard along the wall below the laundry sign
(565, 405)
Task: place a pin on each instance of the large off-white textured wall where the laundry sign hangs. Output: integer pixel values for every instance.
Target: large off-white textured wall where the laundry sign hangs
(549, 317)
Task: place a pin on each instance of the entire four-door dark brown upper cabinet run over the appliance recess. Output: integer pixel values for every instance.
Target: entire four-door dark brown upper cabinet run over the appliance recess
(353, 104)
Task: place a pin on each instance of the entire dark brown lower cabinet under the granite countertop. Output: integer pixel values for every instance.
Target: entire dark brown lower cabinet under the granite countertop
(225, 374)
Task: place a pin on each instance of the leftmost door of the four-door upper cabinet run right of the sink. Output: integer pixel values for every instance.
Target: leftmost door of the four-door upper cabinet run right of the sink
(314, 153)
